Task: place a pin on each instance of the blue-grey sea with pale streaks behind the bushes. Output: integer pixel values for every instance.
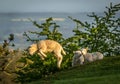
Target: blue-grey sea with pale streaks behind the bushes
(18, 23)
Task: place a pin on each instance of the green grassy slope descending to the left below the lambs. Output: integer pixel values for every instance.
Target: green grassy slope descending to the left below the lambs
(106, 71)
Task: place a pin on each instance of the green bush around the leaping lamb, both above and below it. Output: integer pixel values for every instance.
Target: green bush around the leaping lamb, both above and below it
(40, 68)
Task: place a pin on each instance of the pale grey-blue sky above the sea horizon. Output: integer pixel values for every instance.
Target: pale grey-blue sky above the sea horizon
(71, 6)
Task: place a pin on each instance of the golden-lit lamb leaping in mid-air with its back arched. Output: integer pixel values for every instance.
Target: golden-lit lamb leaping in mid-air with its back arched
(45, 46)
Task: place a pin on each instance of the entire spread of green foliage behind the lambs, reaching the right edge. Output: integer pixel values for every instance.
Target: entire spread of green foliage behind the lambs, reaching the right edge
(101, 35)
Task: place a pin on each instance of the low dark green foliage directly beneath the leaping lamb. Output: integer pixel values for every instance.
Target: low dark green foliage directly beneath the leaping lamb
(37, 68)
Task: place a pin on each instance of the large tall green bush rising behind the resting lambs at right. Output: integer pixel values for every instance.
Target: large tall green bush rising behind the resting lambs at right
(103, 34)
